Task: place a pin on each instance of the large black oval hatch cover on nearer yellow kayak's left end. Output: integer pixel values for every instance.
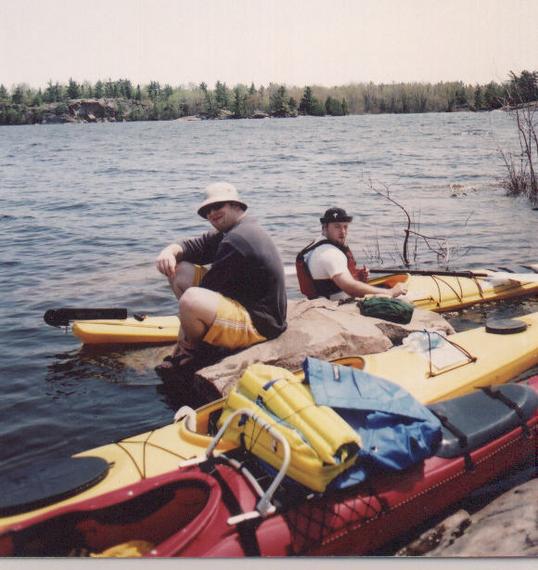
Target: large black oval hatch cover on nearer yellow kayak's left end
(42, 484)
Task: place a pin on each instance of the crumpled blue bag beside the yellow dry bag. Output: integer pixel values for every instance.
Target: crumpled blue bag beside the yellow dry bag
(396, 430)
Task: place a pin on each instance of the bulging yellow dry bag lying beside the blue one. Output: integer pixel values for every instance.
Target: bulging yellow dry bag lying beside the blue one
(322, 444)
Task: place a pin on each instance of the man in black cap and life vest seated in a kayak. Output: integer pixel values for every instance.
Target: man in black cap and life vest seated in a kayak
(327, 267)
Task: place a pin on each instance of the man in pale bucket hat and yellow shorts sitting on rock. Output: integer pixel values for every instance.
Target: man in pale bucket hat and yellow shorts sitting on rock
(241, 300)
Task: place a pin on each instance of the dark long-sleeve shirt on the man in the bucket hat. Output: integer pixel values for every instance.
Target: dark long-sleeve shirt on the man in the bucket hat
(245, 266)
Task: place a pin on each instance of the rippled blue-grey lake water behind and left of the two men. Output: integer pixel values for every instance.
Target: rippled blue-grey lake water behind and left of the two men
(87, 207)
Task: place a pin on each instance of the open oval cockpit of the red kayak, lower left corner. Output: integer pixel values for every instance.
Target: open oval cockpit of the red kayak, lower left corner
(125, 523)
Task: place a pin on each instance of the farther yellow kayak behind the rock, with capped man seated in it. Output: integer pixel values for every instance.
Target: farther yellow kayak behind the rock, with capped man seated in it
(436, 292)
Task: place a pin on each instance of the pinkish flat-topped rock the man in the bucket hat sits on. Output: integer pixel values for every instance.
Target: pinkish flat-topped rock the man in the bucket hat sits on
(322, 329)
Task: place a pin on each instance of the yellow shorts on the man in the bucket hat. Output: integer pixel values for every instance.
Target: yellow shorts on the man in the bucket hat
(232, 328)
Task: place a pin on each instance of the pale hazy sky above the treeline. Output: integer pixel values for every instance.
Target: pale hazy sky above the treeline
(296, 42)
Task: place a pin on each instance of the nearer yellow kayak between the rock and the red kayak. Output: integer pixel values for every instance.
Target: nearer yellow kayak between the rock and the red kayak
(471, 359)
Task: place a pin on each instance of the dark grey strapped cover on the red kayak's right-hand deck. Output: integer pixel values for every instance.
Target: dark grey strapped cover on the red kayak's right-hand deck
(471, 421)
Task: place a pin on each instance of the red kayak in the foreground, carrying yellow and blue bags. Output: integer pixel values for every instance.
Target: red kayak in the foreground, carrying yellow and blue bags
(185, 512)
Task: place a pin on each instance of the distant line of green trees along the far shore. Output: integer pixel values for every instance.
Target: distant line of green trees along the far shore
(125, 101)
